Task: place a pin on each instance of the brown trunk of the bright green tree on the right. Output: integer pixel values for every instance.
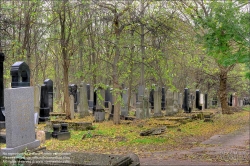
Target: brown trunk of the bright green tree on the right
(223, 90)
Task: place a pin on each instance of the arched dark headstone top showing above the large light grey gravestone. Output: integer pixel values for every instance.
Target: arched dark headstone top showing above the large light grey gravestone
(20, 74)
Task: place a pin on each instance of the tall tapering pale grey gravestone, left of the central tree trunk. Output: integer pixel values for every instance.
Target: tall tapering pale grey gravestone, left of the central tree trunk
(83, 105)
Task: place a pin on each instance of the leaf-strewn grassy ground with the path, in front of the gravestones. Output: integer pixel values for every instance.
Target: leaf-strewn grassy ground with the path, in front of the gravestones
(187, 140)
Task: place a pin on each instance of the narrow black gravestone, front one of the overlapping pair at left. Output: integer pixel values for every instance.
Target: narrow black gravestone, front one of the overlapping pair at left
(44, 104)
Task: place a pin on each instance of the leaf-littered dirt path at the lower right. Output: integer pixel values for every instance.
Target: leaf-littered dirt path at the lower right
(230, 149)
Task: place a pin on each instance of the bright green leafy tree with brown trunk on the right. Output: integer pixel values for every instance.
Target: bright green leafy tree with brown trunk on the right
(222, 28)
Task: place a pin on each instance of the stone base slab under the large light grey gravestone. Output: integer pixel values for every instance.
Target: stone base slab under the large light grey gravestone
(18, 149)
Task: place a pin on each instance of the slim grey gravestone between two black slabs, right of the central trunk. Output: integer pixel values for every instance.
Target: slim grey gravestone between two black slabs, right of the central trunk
(157, 102)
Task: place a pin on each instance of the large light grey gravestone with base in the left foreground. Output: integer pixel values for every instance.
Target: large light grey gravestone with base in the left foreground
(20, 128)
